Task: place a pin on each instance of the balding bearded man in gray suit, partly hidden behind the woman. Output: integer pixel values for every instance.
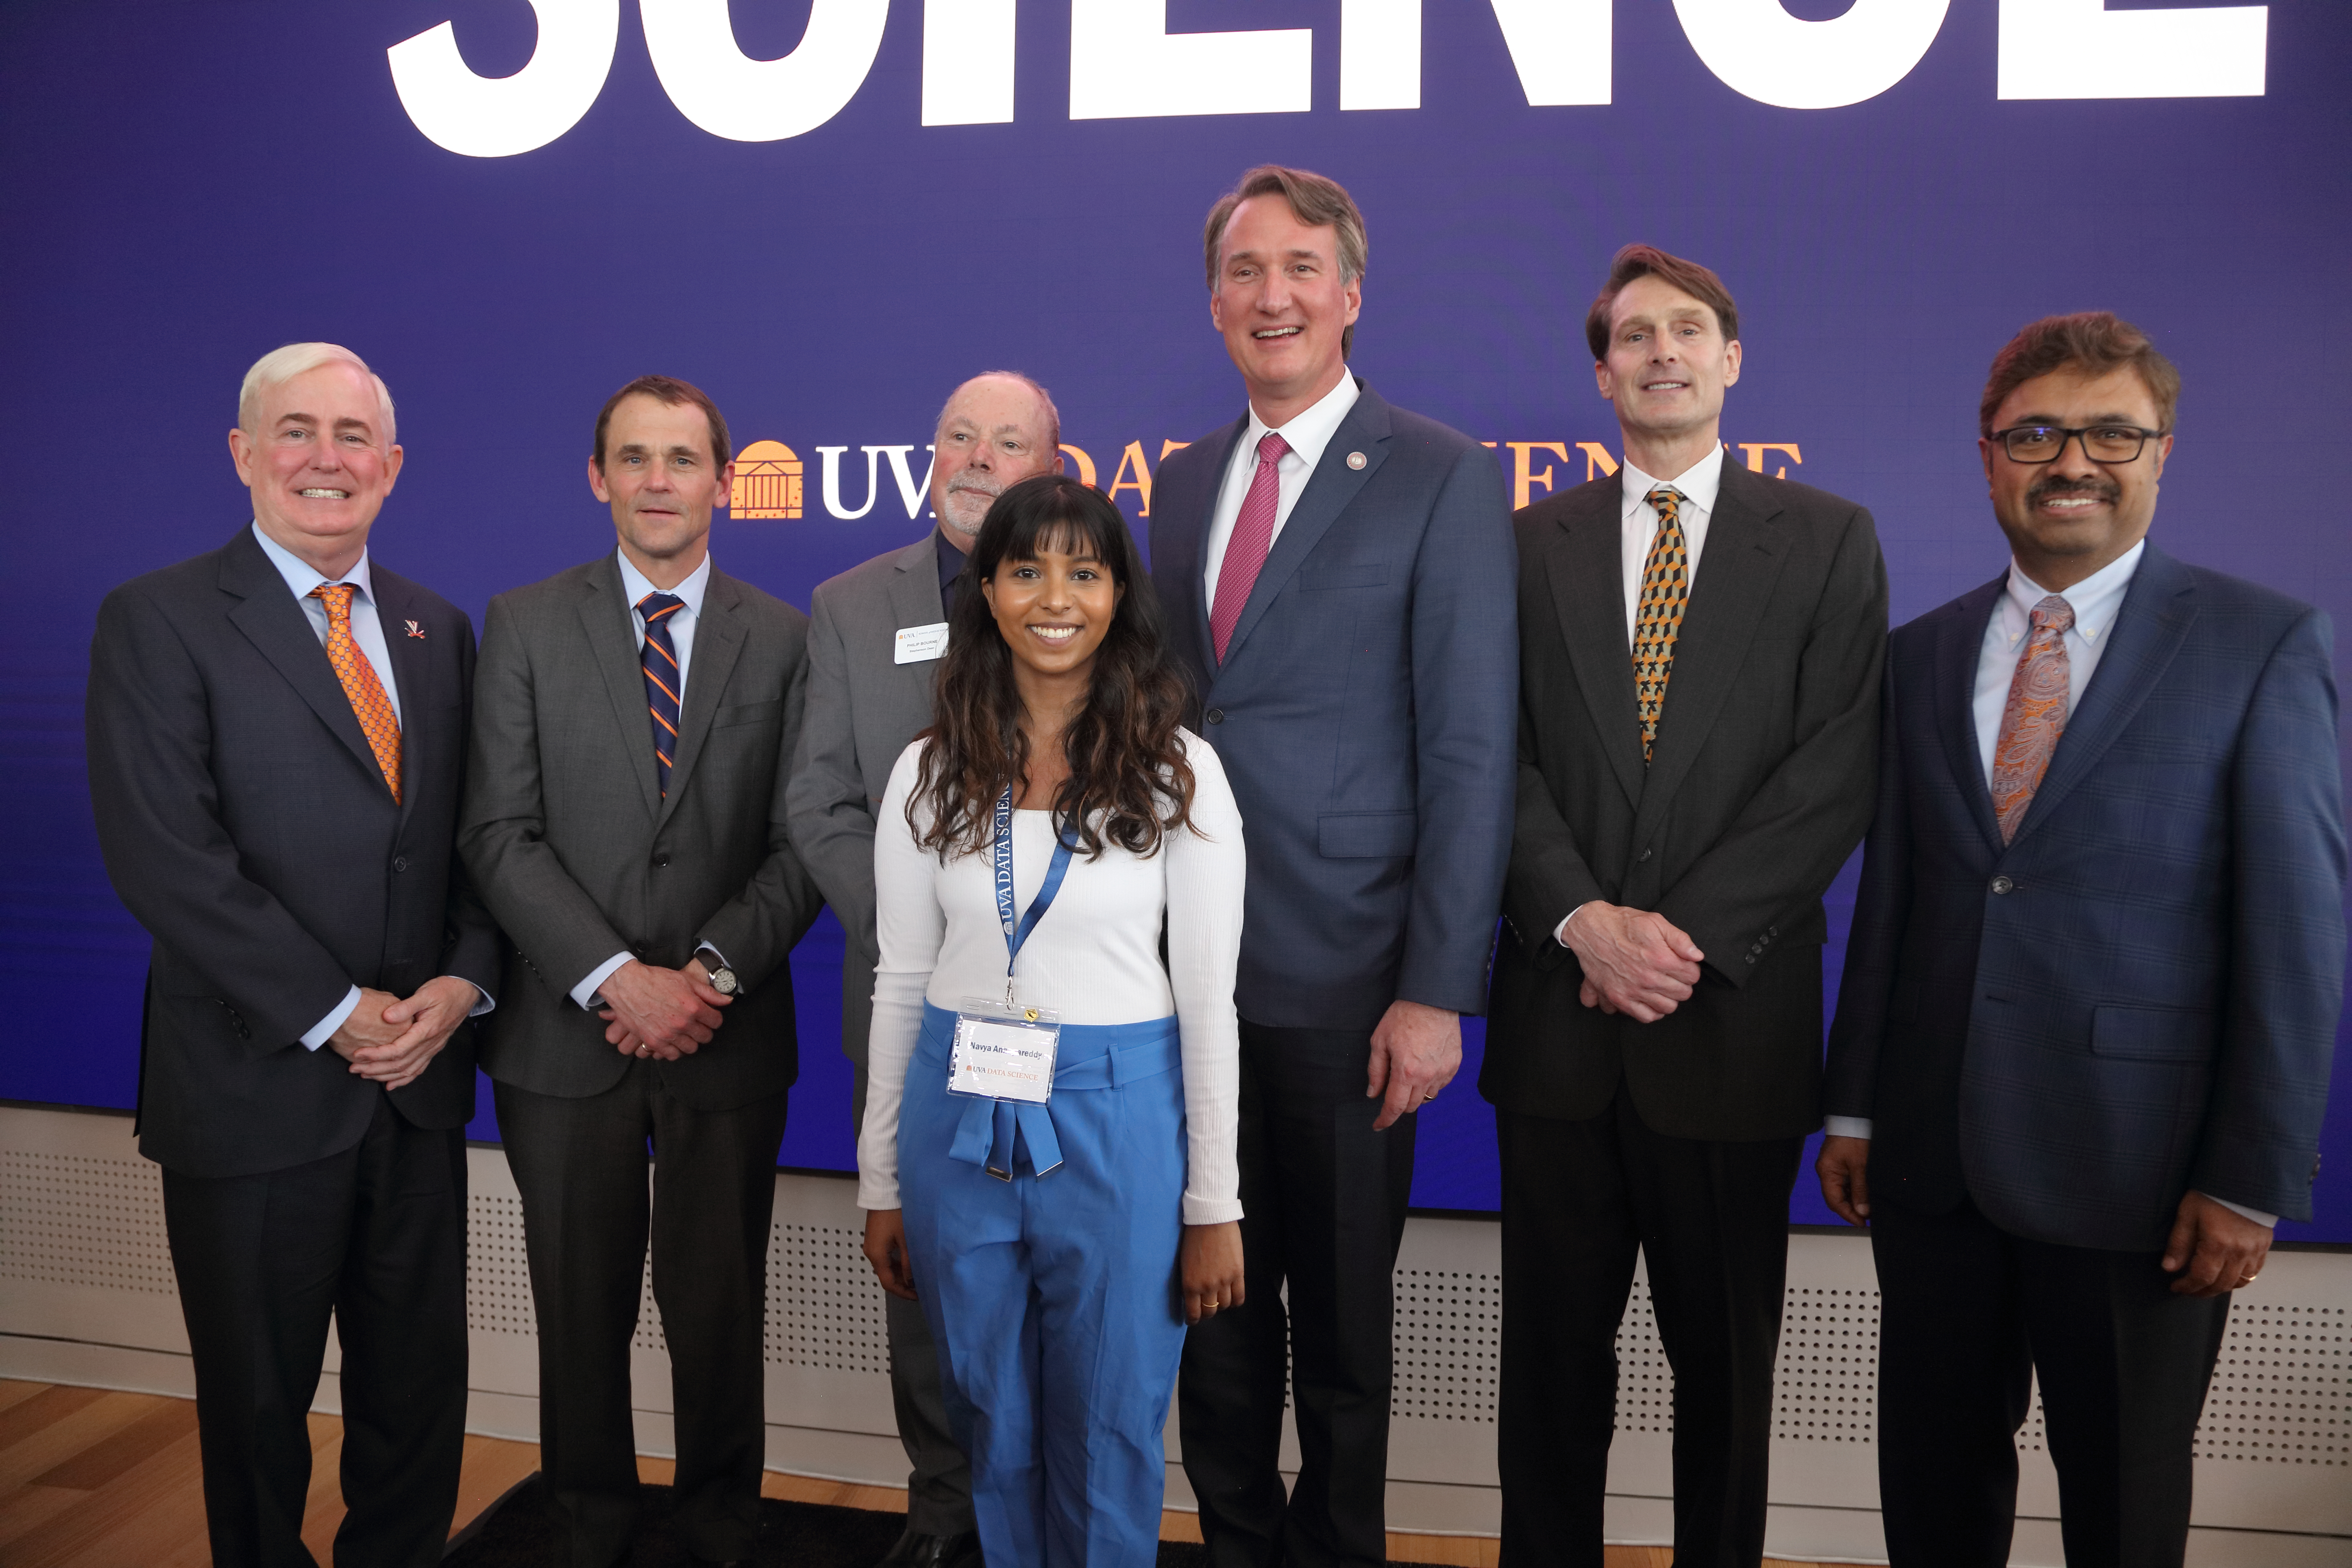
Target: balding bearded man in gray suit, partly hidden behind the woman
(874, 648)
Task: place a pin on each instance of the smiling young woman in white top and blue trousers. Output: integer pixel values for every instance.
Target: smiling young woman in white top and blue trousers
(1034, 847)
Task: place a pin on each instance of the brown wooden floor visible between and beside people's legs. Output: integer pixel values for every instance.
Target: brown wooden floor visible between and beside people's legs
(98, 1480)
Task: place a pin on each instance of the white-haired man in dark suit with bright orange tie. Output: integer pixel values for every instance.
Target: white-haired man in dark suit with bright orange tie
(276, 751)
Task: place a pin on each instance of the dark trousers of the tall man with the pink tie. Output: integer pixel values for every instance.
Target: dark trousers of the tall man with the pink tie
(1323, 1202)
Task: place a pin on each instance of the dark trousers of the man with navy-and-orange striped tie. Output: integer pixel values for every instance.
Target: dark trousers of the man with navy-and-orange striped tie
(580, 1167)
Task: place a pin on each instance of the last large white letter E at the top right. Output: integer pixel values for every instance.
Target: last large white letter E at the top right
(2083, 51)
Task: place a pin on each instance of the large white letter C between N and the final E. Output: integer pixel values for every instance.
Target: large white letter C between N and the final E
(1772, 58)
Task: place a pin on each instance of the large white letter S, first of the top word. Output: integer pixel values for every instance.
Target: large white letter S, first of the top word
(509, 114)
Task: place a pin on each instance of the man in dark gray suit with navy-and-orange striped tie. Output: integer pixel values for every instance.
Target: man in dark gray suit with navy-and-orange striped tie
(624, 822)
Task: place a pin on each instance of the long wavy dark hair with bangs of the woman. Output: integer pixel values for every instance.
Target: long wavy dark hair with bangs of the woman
(1128, 775)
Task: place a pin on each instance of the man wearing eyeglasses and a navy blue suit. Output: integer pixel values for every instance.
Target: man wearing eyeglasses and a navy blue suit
(2090, 1005)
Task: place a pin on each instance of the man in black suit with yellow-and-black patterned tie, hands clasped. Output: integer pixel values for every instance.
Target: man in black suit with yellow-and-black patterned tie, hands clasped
(1699, 713)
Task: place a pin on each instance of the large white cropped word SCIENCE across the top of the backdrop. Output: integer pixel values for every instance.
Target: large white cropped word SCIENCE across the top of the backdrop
(1128, 65)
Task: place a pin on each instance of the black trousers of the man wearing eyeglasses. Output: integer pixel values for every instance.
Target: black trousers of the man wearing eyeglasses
(1967, 1318)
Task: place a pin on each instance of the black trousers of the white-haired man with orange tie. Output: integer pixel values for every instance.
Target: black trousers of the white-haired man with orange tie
(373, 1238)
